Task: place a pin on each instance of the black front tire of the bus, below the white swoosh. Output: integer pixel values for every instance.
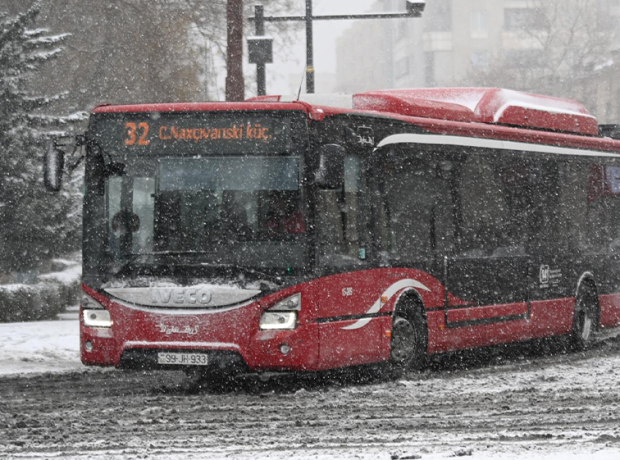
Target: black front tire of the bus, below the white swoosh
(409, 340)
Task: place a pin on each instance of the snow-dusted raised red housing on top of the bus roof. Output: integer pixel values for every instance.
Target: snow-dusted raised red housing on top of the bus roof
(482, 105)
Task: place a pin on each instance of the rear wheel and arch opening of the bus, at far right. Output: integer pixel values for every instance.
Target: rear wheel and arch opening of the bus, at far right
(586, 315)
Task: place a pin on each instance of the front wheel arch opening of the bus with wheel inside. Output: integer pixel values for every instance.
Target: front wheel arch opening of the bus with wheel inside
(409, 332)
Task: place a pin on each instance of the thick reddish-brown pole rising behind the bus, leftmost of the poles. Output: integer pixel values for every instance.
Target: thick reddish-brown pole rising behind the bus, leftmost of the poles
(235, 86)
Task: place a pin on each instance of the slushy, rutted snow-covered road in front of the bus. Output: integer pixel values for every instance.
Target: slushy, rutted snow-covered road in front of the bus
(515, 406)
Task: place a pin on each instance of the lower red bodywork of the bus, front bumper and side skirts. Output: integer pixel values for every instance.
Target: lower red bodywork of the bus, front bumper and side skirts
(322, 339)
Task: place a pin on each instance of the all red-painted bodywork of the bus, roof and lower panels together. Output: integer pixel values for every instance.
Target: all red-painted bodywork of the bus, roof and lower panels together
(345, 319)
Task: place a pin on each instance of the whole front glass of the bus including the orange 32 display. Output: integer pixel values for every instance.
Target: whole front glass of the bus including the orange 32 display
(196, 202)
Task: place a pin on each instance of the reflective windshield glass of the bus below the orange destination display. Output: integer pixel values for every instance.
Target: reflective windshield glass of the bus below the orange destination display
(216, 211)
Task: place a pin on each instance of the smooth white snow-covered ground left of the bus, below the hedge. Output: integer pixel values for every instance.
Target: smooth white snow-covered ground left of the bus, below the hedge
(43, 346)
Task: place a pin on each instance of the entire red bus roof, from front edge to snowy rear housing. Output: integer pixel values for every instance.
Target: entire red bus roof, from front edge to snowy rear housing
(488, 106)
